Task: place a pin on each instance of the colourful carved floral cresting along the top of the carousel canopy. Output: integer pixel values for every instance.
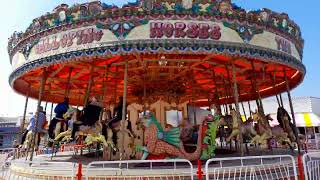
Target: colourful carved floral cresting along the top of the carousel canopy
(121, 20)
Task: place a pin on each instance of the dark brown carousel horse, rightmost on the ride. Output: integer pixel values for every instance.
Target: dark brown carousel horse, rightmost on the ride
(286, 124)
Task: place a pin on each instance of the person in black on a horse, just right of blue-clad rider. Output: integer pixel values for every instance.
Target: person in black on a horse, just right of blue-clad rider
(90, 116)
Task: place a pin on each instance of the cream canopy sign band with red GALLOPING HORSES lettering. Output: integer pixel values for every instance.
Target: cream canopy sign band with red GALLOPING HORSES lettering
(92, 37)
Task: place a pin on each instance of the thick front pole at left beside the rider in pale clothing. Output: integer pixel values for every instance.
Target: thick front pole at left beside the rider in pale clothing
(42, 86)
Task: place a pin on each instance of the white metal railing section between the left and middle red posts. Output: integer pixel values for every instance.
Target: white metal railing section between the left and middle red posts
(140, 169)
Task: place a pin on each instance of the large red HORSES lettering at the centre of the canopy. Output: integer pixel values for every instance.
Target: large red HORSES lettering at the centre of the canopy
(190, 30)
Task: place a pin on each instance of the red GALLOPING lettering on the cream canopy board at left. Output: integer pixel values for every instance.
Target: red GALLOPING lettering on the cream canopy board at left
(83, 36)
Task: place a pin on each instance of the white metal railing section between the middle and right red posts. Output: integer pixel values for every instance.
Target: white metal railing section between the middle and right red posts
(254, 167)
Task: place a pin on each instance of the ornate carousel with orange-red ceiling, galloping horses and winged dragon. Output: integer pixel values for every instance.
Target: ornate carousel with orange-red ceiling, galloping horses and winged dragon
(152, 57)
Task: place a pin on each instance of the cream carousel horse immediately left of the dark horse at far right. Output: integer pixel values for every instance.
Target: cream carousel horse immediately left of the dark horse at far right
(264, 128)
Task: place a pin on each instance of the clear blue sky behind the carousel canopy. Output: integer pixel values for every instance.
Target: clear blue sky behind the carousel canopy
(16, 15)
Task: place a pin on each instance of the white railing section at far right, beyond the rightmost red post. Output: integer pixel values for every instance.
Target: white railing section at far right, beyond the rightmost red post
(311, 165)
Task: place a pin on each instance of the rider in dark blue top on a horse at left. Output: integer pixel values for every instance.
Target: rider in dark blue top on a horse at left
(59, 110)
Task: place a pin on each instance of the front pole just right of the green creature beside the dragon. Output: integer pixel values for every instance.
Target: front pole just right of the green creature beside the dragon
(236, 98)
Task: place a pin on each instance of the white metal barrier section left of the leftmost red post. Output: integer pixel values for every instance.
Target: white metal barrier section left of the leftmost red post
(37, 170)
